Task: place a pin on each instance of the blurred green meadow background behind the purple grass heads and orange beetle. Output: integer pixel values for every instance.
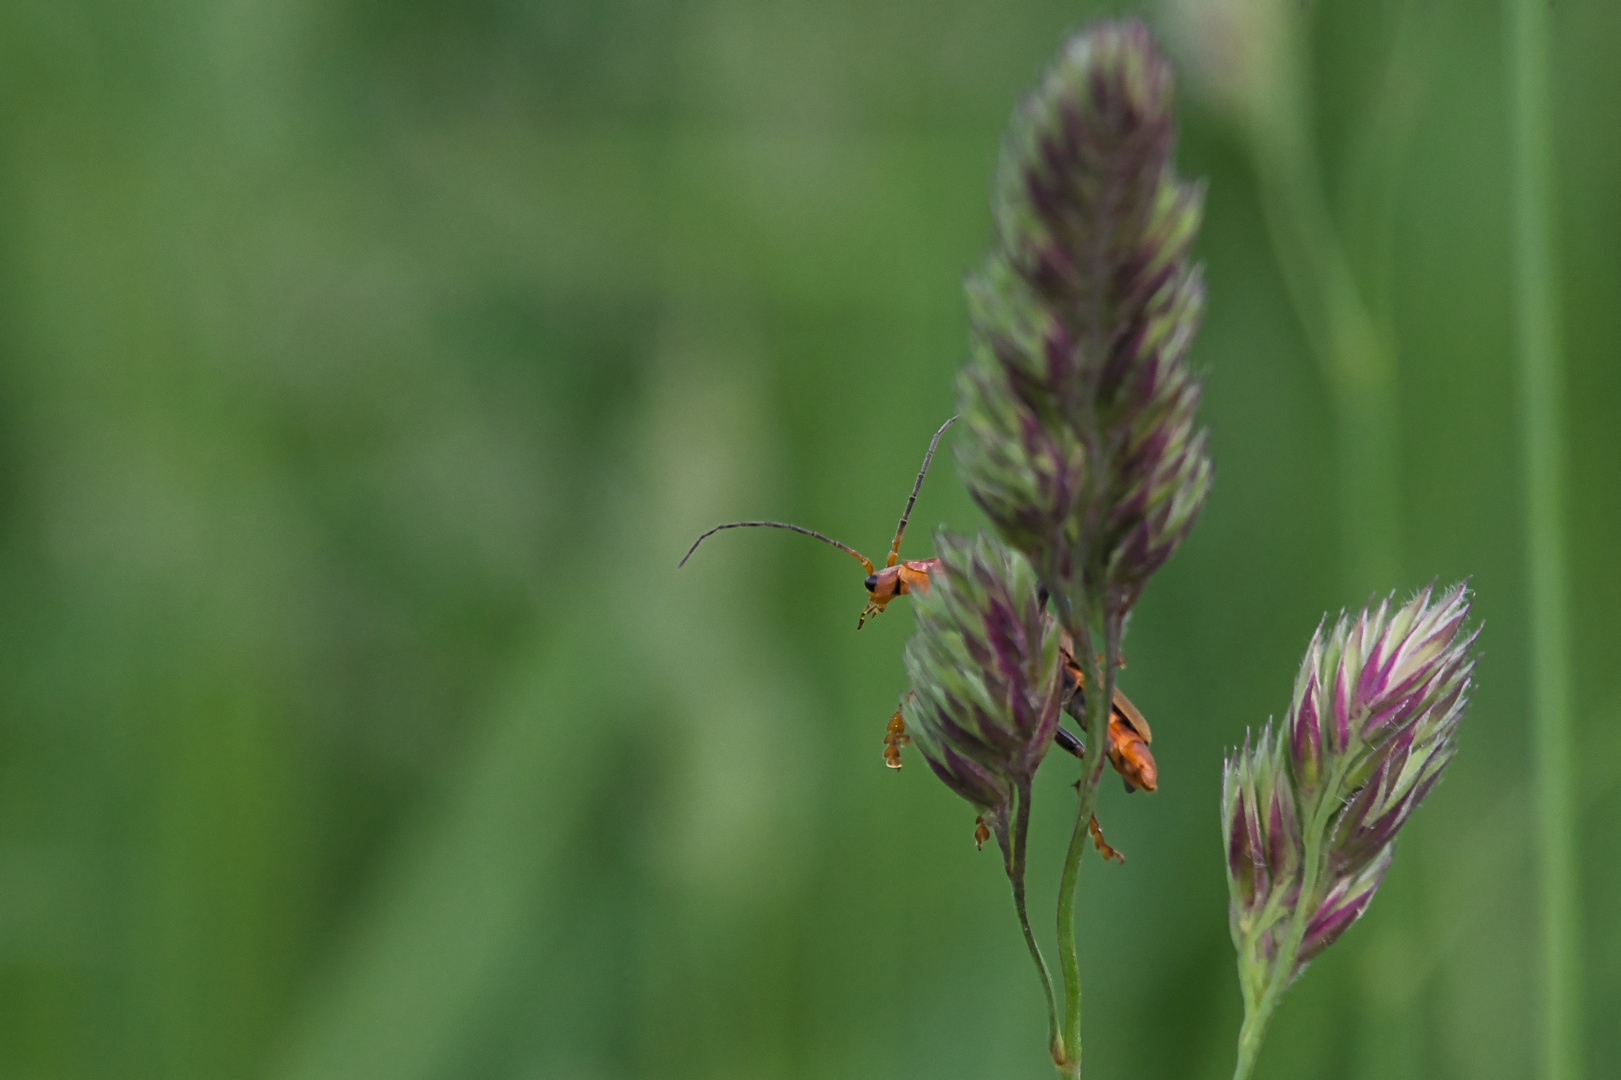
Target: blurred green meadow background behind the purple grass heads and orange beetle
(367, 367)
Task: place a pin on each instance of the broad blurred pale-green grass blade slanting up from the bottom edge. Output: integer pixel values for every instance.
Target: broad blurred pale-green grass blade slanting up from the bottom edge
(438, 949)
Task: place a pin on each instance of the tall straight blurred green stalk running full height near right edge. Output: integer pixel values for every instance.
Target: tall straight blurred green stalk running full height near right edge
(1538, 338)
